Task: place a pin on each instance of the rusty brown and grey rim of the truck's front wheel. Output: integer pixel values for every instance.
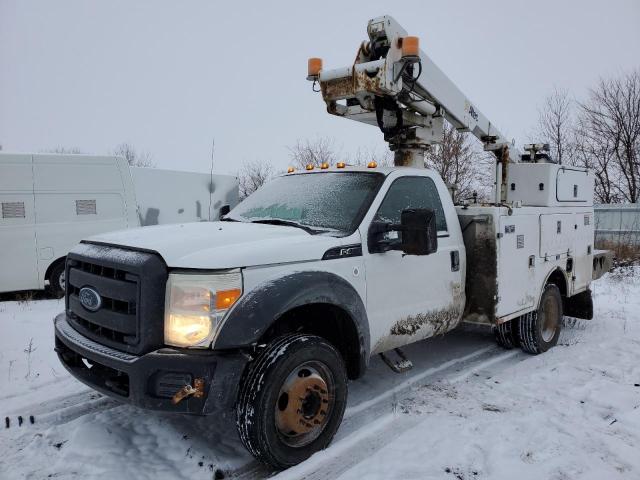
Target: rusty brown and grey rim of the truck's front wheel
(304, 404)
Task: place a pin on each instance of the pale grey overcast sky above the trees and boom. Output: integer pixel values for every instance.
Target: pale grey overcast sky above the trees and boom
(168, 76)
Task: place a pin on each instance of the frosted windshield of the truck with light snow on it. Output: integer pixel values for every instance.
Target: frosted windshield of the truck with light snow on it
(320, 201)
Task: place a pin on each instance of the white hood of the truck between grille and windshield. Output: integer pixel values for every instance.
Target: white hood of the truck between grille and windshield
(223, 245)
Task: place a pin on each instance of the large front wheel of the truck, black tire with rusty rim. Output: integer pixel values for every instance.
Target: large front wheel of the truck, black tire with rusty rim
(292, 400)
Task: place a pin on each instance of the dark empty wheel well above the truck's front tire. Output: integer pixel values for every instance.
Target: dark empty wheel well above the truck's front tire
(327, 321)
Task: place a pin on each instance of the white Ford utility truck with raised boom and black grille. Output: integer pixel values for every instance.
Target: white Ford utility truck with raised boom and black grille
(264, 316)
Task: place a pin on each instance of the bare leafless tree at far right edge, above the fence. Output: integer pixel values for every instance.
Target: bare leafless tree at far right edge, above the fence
(611, 118)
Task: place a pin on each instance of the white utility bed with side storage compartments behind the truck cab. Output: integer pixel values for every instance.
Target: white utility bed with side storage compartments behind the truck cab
(511, 252)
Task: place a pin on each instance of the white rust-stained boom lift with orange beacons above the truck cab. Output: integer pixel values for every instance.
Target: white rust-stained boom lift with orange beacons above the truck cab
(396, 86)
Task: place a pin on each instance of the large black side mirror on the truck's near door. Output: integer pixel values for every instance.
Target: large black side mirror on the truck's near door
(418, 231)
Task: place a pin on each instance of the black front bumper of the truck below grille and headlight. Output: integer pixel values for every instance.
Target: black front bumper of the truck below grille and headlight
(150, 380)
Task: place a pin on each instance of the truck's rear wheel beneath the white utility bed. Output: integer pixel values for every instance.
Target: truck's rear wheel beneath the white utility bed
(539, 330)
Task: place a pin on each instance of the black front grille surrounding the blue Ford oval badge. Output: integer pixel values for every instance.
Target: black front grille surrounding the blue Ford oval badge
(131, 287)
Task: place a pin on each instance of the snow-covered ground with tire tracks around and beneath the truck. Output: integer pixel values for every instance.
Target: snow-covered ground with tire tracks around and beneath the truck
(468, 410)
